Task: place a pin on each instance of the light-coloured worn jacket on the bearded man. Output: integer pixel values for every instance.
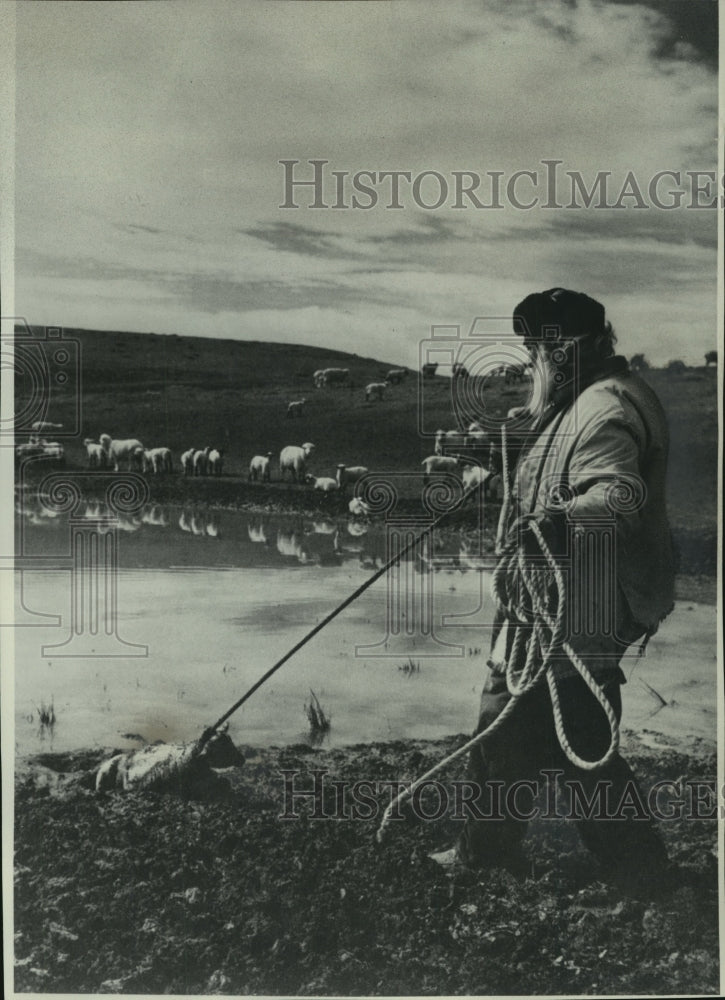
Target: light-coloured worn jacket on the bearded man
(605, 455)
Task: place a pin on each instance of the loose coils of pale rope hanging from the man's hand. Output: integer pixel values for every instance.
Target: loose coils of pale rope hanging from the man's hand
(539, 652)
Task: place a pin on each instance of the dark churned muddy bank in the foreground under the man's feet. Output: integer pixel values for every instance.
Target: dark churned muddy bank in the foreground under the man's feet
(150, 894)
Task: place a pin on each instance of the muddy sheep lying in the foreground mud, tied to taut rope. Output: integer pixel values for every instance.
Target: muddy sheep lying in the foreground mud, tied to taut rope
(186, 769)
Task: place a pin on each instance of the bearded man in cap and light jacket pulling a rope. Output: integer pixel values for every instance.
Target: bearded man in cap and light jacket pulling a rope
(590, 473)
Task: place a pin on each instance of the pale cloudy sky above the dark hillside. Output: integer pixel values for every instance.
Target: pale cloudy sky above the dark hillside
(148, 182)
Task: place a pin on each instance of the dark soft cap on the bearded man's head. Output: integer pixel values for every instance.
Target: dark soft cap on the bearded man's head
(558, 314)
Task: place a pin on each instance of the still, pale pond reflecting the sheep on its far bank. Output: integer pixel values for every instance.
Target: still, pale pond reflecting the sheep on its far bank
(189, 607)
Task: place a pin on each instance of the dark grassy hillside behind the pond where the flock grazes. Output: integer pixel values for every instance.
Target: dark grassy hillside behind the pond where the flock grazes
(192, 391)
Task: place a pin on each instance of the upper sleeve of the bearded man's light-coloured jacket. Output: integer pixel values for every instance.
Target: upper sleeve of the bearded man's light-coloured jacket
(605, 465)
